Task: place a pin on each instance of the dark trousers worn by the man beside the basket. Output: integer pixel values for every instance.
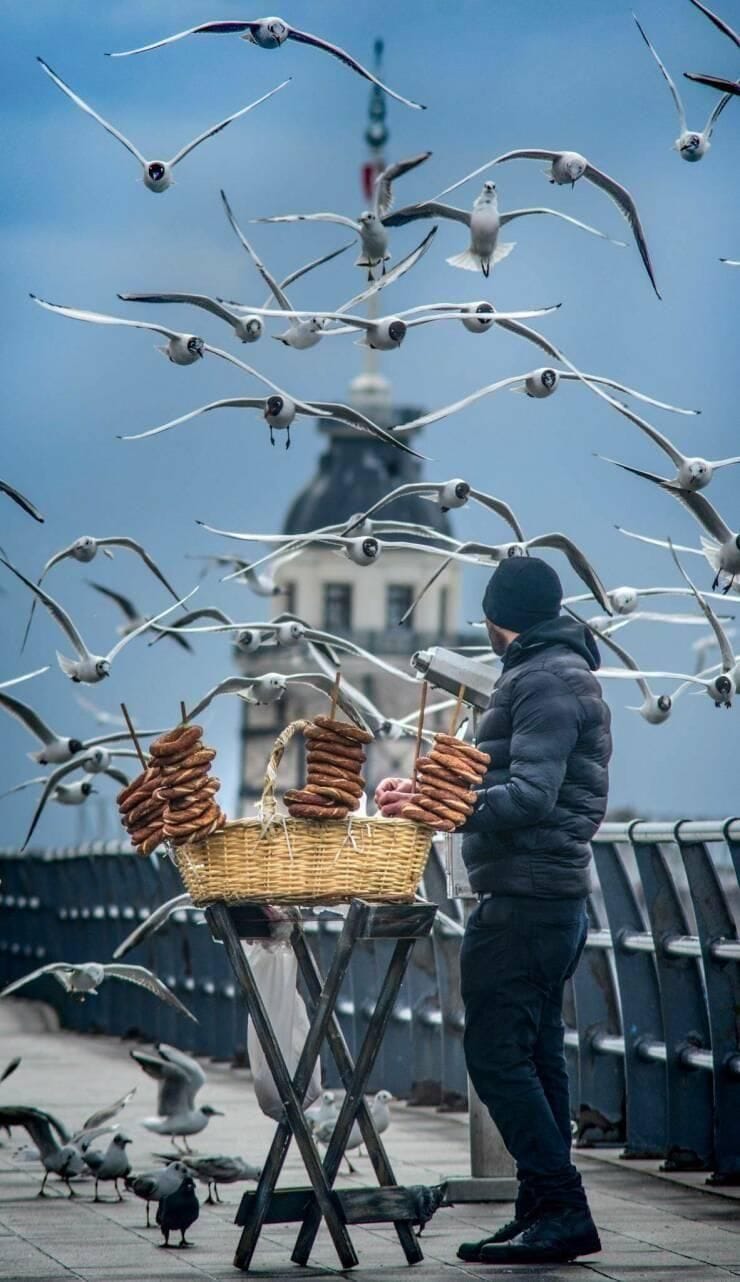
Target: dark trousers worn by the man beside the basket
(516, 957)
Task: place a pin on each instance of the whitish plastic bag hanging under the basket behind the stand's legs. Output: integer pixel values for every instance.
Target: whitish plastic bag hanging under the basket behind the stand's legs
(275, 970)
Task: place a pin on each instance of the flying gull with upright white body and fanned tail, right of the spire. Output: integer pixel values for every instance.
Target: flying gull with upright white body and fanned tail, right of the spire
(485, 222)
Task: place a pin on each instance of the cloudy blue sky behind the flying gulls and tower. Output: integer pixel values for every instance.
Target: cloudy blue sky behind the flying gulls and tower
(500, 75)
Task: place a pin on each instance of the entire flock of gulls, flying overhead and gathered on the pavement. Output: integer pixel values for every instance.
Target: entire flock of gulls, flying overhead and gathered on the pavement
(76, 762)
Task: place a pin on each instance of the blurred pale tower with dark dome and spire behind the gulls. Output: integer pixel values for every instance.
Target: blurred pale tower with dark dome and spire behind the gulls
(332, 593)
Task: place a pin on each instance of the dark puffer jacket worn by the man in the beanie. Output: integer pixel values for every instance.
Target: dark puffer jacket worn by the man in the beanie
(546, 793)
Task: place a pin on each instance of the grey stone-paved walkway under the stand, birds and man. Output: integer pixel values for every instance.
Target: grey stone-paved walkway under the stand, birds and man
(652, 1231)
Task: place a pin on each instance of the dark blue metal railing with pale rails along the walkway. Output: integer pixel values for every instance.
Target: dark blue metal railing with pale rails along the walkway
(652, 1013)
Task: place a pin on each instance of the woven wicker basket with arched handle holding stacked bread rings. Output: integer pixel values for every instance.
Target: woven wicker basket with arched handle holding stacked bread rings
(284, 861)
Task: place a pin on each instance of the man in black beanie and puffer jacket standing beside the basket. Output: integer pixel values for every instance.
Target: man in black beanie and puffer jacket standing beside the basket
(526, 849)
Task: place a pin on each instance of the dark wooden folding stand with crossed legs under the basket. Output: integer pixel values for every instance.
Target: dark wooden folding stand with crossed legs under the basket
(308, 1206)
